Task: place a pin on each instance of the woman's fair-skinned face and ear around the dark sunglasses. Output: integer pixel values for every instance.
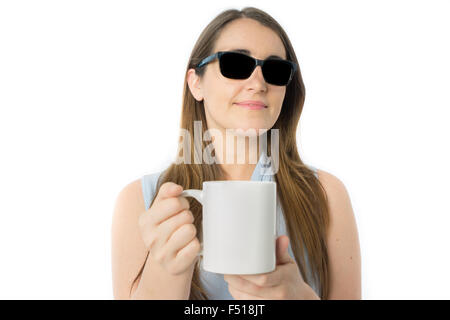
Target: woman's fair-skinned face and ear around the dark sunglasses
(221, 94)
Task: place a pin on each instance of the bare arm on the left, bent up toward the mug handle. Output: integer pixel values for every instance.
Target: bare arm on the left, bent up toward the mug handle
(129, 254)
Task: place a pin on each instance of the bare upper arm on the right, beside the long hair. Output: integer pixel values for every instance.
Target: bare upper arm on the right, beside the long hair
(342, 241)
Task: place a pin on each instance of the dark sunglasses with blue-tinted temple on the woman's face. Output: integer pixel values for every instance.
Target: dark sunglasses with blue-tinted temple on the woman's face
(236, 65)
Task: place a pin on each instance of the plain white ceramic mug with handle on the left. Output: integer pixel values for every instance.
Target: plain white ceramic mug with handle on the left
(239, 226)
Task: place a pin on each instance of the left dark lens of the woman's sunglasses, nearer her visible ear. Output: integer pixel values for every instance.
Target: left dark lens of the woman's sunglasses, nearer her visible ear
(236, 66)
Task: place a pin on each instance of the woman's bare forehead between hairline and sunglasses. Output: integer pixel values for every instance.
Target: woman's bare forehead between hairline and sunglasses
(248, 34)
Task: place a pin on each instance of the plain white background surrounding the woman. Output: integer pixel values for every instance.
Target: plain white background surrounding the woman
(90, 100)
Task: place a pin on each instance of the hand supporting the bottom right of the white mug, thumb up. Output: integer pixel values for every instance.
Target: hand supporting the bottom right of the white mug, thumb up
(284, 283)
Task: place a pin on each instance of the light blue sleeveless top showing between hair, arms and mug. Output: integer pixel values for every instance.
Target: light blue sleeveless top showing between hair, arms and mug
(214, 283)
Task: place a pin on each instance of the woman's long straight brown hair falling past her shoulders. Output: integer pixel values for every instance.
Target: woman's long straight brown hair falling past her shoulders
(302, 197)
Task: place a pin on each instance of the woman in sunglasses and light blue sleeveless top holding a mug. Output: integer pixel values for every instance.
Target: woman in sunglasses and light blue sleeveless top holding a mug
(155, 233)
